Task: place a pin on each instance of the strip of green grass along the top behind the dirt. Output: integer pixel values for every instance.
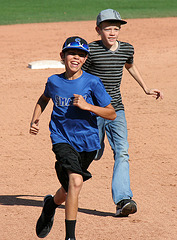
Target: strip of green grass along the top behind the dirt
(30, 11)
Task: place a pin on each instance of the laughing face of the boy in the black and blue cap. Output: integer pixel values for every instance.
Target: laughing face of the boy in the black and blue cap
(73, 59)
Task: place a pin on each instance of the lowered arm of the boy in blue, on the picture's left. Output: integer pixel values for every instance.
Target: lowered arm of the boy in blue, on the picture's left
(39, 108)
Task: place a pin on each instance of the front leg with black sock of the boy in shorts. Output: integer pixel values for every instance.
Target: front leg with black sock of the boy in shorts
(71, 205)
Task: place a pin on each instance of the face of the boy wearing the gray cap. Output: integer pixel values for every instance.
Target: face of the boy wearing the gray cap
(109, 32)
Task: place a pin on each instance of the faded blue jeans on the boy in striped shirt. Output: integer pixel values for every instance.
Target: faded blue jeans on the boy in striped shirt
(116, 132)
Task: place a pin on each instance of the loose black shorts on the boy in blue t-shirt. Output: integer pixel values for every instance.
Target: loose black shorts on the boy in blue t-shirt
(69, 159)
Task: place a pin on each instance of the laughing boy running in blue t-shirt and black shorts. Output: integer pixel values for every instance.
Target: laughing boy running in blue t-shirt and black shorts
(78, 97)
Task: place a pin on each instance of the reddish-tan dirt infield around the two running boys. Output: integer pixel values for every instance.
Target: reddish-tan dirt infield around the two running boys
(27, 162)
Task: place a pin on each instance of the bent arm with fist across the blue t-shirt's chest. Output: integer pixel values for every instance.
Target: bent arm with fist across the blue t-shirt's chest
(107, 112)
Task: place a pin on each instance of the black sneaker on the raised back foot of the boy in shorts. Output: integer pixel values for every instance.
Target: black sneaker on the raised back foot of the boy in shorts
(45, 222)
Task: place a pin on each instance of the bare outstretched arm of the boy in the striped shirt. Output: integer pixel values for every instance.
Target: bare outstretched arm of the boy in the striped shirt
(136, 75)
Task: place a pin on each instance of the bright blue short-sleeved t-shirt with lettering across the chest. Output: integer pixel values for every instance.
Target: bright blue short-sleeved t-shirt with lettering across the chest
(70, 124)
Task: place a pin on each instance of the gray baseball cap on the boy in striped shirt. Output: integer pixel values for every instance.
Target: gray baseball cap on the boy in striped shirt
(109, 14)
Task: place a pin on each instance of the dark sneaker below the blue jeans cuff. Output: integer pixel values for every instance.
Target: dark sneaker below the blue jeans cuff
(125, 207)
